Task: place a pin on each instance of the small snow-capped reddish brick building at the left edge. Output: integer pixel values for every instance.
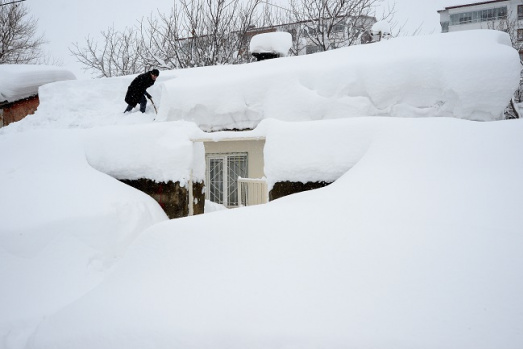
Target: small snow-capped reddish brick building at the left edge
(19, 86)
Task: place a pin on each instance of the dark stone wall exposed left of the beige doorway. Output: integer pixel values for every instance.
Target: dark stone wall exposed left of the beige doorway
(173, 198)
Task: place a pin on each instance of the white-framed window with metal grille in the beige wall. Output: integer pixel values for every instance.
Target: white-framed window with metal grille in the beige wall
(222, 175)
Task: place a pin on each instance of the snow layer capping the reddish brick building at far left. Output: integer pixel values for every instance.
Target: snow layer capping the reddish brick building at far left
(19, 81)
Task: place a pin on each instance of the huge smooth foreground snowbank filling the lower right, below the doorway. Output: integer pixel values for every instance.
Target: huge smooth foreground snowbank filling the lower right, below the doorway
(418, 246)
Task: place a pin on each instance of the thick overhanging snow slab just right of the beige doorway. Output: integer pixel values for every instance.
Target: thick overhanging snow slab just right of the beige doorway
(317, 150)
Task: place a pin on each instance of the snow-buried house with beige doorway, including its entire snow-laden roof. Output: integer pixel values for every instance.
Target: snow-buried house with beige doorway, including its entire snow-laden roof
(244, 134)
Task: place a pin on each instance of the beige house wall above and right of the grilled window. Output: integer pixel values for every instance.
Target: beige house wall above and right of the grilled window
(253, 148)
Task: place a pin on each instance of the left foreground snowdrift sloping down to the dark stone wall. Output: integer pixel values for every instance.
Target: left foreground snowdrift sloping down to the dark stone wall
(63, 224)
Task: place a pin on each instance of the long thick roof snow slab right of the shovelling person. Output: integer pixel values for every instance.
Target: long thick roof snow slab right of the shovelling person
(468, 75)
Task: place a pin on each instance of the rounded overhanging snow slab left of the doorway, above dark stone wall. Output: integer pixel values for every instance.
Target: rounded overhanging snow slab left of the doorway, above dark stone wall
(161, 152)
